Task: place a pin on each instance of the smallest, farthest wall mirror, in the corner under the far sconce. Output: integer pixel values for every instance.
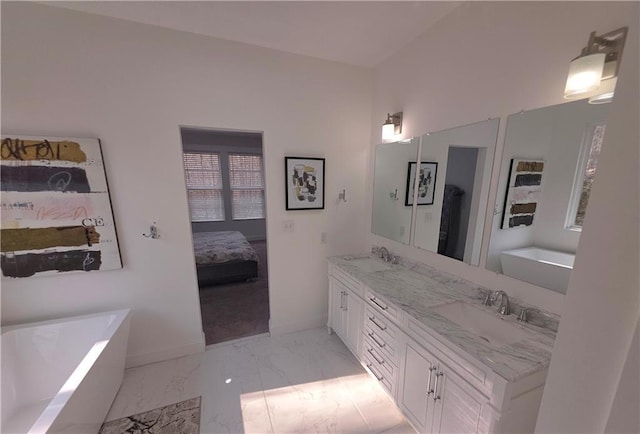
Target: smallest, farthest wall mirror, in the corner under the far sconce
(391, 216)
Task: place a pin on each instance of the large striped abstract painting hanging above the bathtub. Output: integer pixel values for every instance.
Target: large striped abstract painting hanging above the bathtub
(56, 211)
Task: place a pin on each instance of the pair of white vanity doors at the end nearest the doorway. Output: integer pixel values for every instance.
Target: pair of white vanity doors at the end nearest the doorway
(346, 309)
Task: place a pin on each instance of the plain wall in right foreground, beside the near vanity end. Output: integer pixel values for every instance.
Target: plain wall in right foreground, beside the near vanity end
(602, 305)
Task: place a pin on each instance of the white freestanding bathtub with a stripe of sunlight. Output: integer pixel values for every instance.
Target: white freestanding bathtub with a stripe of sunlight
(61, 376)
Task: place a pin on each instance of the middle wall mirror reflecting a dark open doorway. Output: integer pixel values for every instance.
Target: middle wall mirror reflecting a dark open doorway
(456, 165)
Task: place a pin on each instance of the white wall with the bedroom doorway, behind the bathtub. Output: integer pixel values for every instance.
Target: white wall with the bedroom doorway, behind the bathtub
(132, 85)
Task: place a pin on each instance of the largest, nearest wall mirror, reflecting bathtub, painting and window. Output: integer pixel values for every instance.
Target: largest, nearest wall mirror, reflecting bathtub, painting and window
(548, 165)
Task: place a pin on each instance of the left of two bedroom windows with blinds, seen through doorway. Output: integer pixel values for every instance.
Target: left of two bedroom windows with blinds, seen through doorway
(204, 186)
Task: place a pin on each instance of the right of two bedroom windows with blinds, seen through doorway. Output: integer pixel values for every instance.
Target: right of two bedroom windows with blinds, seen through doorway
(247, 186)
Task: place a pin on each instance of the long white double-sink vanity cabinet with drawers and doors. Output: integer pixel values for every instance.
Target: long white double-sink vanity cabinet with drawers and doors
(438, 385)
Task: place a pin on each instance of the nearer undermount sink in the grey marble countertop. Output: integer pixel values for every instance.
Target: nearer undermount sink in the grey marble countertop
(488, 326)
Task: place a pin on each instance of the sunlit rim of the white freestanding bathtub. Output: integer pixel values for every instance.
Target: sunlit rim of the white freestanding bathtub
(55, 406)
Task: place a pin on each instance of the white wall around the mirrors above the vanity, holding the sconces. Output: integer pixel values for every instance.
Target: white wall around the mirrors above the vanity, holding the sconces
(487, 59)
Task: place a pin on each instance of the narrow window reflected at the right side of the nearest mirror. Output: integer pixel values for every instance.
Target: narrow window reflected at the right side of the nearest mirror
(585, 175)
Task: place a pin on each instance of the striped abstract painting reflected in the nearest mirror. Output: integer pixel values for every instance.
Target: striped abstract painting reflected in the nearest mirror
(523, 193)
